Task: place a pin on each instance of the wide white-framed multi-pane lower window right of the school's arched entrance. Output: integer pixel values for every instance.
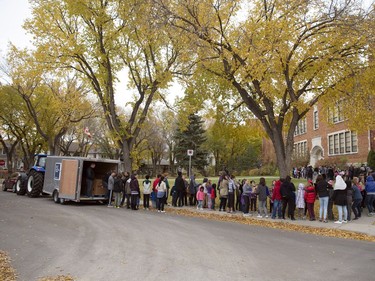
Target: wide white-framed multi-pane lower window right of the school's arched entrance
(343, 143)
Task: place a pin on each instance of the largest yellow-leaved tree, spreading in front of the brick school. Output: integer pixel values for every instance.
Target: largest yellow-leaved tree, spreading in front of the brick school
(279, 57)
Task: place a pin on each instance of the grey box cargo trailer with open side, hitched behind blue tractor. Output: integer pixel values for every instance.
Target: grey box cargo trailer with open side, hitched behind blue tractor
(65, 178)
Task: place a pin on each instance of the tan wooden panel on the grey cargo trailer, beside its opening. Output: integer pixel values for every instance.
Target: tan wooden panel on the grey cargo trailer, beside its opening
(69, 180)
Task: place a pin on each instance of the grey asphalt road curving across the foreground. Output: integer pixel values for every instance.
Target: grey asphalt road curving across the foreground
(93, 242)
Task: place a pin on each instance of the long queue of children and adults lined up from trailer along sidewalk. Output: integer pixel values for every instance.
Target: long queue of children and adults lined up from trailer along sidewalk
(349, 195)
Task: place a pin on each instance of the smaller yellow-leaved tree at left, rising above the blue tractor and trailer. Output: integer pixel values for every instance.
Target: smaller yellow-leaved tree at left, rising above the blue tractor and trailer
(54, 99)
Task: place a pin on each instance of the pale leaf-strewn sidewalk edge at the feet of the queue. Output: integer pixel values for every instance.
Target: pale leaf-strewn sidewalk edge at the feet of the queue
(364, 224)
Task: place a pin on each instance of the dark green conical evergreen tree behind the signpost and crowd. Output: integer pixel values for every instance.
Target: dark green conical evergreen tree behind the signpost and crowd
(192, 137)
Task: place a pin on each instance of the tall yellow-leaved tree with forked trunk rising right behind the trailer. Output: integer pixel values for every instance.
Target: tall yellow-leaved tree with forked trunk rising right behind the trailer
(102, 38)
